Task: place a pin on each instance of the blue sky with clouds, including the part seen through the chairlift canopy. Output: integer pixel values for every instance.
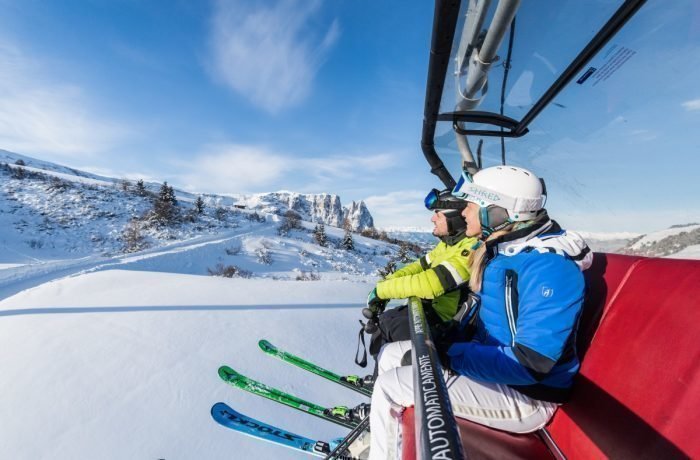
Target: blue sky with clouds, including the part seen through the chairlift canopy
(325, 96)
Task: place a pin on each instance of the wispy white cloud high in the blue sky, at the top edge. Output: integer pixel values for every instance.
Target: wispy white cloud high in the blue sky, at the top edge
(267, 53)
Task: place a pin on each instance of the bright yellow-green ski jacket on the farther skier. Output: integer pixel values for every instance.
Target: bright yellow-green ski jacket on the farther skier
(434, 276)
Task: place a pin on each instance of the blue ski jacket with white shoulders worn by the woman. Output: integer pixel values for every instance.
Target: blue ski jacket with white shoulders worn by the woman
(531, 299)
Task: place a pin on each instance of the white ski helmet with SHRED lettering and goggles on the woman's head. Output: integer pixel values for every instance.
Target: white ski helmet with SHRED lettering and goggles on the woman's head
(514, 189)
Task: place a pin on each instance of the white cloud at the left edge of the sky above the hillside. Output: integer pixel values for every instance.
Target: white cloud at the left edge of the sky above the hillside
(41, 116)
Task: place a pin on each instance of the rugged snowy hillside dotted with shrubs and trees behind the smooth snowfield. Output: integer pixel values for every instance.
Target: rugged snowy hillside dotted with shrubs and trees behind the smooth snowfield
(48, 214)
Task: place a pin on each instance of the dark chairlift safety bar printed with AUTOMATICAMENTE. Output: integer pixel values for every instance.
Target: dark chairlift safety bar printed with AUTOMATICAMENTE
(437, 436)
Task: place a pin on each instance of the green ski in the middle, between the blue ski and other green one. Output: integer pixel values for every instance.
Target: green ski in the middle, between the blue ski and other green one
(237, 380)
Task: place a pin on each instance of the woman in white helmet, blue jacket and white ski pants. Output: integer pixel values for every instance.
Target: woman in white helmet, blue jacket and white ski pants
(526, 271)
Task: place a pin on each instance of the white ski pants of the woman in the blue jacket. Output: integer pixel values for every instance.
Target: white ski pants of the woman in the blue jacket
(494, 405)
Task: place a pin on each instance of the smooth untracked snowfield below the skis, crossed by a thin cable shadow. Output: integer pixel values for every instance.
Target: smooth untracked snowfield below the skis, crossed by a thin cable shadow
(122, 364)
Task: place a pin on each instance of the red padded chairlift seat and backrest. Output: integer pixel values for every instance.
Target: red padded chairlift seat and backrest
(638, 392)
